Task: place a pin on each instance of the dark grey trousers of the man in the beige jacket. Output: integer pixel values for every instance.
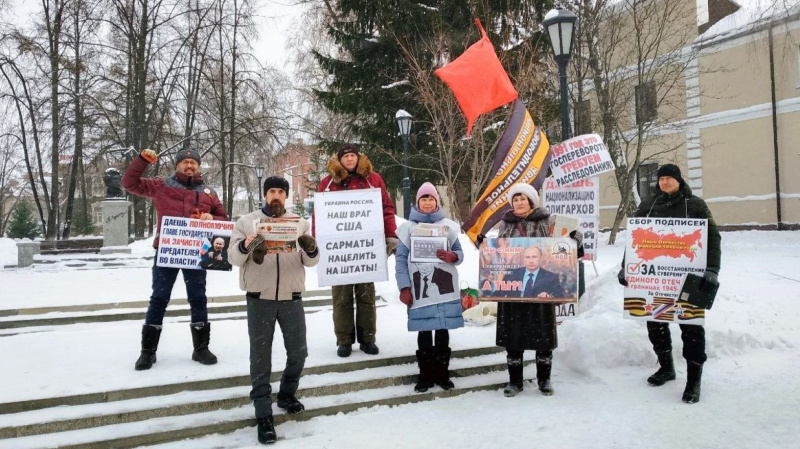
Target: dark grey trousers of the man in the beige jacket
(262, 314)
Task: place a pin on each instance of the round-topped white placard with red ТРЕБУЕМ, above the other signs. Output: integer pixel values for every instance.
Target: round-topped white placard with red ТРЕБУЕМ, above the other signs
(579, 158)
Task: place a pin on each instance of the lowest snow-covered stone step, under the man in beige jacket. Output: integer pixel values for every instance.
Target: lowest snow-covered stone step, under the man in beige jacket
(173, 428)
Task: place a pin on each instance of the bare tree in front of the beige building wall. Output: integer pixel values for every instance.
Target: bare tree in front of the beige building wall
(636, 54)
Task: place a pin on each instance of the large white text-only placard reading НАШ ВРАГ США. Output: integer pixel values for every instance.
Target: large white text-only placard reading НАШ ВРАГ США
(349, 230)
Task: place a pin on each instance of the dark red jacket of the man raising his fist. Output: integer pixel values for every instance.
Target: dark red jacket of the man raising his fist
(176, 196)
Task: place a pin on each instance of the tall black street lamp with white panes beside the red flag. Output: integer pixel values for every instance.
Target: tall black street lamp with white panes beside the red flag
(560, 25)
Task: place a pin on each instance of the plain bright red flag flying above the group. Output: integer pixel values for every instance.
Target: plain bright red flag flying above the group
(478, 80)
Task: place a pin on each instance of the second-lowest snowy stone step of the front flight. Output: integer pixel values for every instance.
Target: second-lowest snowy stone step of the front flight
(186, 403)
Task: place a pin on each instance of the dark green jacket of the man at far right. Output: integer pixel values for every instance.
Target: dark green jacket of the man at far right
(682, 204)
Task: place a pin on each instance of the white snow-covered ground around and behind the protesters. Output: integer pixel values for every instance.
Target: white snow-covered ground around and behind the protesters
(750, 398)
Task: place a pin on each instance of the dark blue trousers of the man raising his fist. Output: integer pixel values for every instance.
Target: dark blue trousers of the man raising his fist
(163, 280)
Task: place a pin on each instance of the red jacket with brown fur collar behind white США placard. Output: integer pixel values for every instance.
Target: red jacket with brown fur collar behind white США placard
(363, 178)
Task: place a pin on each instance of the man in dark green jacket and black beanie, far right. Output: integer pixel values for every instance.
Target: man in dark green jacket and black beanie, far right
(674, 199)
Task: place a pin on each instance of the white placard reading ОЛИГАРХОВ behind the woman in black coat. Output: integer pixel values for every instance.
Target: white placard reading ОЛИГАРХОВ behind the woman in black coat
(580, 199)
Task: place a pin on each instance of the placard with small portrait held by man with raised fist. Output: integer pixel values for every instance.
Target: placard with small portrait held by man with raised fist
(194, 244)
